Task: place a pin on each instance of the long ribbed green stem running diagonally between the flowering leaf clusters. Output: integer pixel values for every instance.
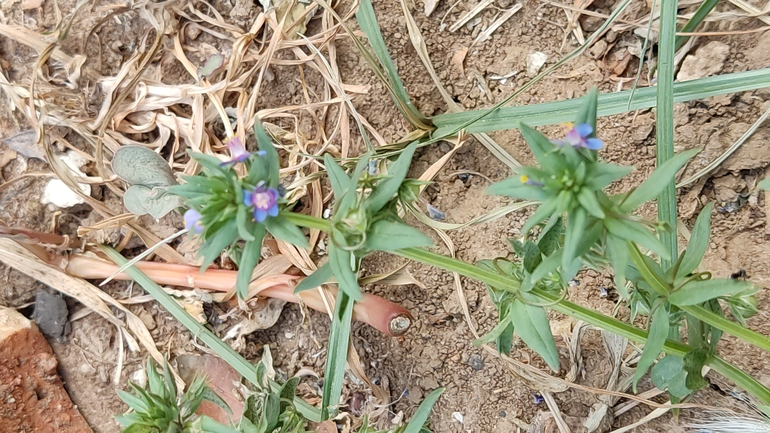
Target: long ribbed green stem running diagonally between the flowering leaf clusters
(737, 376)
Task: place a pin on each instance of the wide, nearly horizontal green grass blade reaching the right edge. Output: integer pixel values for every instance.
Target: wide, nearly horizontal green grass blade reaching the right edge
(610, 103)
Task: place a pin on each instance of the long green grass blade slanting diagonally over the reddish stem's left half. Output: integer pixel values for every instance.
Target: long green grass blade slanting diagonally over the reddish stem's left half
(241, 365)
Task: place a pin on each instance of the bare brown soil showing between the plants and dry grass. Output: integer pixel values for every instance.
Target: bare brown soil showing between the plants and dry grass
(483, 394)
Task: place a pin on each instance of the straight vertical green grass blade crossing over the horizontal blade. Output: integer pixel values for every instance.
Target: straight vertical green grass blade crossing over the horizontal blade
(664, 118)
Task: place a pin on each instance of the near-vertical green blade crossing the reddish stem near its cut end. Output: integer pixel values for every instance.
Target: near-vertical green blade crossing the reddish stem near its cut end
(339, 337)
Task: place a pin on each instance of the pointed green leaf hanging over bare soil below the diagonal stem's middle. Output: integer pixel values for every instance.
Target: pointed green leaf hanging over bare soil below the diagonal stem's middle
(531, 323)
